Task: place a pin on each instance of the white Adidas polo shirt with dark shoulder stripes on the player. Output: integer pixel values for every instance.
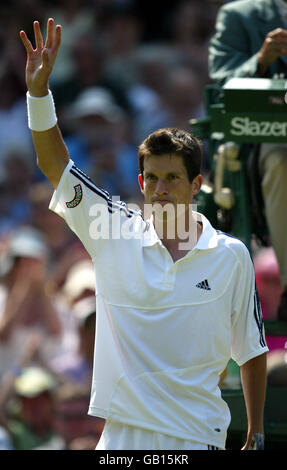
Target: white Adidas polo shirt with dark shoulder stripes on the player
(165, 330)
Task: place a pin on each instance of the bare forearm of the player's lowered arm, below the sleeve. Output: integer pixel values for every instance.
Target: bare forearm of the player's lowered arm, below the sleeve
(253, 378)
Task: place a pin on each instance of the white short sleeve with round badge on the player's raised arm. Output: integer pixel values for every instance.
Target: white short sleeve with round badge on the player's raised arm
(86, 208)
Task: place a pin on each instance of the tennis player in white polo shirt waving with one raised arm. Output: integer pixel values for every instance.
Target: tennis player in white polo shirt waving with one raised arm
(175, 298)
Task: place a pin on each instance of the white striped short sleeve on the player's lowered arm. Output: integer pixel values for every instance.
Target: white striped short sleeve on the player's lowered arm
(248, 335)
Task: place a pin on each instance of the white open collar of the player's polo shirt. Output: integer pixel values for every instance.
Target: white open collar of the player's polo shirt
(207, 239)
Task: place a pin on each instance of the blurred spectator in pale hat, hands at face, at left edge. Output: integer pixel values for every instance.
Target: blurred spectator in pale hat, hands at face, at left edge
(25, 306)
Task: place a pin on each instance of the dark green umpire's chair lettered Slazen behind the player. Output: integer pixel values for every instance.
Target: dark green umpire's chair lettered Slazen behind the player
(240, 116)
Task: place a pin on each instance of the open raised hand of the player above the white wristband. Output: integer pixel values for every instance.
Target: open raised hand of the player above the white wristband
(40, 61)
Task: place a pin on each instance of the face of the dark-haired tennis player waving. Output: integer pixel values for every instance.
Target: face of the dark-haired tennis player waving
(166, 181)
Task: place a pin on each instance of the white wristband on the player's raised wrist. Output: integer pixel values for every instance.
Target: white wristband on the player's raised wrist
(41, 112)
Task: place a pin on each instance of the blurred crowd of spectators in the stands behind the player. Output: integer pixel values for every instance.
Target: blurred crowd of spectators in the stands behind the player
(124, 69)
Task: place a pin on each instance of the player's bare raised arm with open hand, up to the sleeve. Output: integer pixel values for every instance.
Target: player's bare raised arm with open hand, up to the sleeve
(52, 153)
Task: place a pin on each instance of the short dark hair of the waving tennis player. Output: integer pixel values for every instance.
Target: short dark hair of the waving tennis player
(173, 141)
